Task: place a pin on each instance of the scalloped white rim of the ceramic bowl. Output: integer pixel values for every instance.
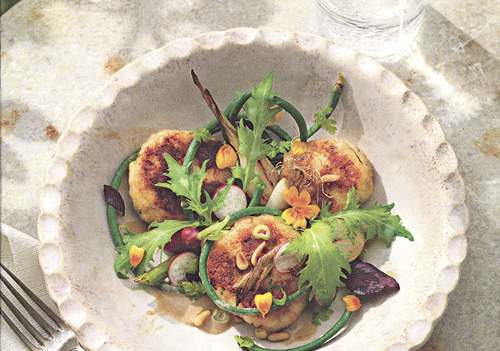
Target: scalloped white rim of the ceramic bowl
(52, 257)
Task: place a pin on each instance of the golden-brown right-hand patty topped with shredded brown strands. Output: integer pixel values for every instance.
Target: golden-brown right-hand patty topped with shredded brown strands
(328, 169)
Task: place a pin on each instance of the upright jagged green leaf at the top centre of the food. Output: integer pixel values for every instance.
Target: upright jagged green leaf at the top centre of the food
(261, 111)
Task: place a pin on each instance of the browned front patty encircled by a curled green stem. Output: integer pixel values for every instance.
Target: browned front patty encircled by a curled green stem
(224, 273)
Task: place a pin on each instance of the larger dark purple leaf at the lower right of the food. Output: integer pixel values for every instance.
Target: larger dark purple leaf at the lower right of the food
(366, 279)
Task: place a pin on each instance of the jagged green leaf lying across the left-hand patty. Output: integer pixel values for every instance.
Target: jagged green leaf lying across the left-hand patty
(184, 183)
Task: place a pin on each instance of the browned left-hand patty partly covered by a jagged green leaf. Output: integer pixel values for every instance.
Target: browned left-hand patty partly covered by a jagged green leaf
(154, 203)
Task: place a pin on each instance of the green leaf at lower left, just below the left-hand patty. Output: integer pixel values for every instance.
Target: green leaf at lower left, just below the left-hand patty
(150, 240)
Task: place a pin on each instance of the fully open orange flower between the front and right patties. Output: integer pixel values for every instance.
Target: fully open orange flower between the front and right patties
(300, 210)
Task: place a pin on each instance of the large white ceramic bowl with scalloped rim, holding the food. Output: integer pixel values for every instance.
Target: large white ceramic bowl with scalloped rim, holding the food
(414, 167)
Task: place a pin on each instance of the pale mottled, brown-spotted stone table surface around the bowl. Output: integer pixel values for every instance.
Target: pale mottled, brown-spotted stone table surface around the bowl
(56, 54)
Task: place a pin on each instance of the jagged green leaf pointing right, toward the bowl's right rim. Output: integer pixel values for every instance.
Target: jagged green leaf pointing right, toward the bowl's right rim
(375, 220)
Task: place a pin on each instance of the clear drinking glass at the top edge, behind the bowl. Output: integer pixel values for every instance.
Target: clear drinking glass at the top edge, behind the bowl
(383, 29)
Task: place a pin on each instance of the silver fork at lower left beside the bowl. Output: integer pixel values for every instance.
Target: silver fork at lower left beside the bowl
(49, 332)
